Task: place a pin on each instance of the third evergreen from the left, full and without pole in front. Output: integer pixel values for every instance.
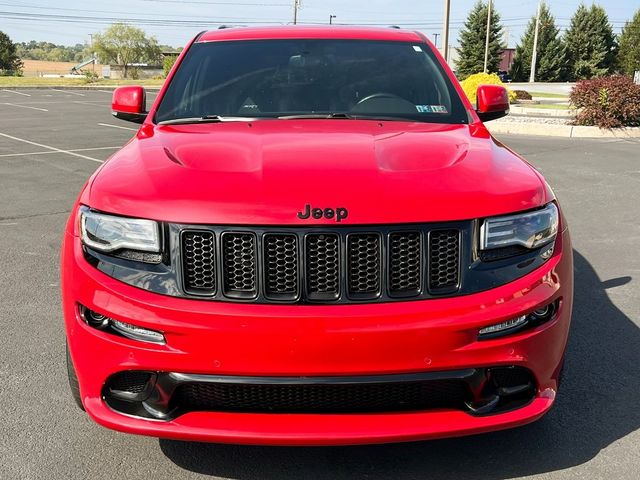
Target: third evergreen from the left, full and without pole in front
(590, 44)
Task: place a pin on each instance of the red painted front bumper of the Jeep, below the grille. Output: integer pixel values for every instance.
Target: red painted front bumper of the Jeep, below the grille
(225, 339)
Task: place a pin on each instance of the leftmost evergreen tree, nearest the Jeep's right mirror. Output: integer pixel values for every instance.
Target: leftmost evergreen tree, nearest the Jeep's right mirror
(472, 41)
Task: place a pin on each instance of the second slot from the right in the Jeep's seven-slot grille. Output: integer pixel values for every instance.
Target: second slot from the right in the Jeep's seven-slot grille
(405, 269)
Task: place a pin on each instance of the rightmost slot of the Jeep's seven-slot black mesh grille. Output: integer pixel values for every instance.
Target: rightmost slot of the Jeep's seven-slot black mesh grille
(444, 254)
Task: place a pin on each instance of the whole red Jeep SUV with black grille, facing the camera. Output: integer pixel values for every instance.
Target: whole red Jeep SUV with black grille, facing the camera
(313, 239)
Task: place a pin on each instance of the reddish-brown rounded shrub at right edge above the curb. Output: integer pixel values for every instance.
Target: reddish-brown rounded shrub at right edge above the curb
(607, 102)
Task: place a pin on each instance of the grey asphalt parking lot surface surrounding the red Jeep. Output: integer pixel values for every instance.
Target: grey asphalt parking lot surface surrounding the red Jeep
(52, 140)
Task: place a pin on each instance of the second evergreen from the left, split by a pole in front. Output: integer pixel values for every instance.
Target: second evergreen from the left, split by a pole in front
(550, 64)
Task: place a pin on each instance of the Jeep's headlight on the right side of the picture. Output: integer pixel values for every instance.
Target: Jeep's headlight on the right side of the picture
(530, 230)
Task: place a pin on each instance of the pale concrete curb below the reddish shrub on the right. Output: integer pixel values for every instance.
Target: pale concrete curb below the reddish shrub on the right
(566, 131)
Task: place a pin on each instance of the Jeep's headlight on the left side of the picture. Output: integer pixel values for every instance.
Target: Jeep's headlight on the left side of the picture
(108, 233)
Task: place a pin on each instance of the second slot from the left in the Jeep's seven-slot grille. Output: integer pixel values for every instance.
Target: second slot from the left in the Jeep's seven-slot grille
(239, 264)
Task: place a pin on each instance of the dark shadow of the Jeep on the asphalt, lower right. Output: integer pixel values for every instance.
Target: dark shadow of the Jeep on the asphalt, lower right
(597, 405)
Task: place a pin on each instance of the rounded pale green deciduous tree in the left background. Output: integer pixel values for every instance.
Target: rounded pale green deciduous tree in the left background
(123, 45)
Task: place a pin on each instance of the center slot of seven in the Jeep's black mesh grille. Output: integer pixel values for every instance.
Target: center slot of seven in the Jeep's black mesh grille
(323, 266)
